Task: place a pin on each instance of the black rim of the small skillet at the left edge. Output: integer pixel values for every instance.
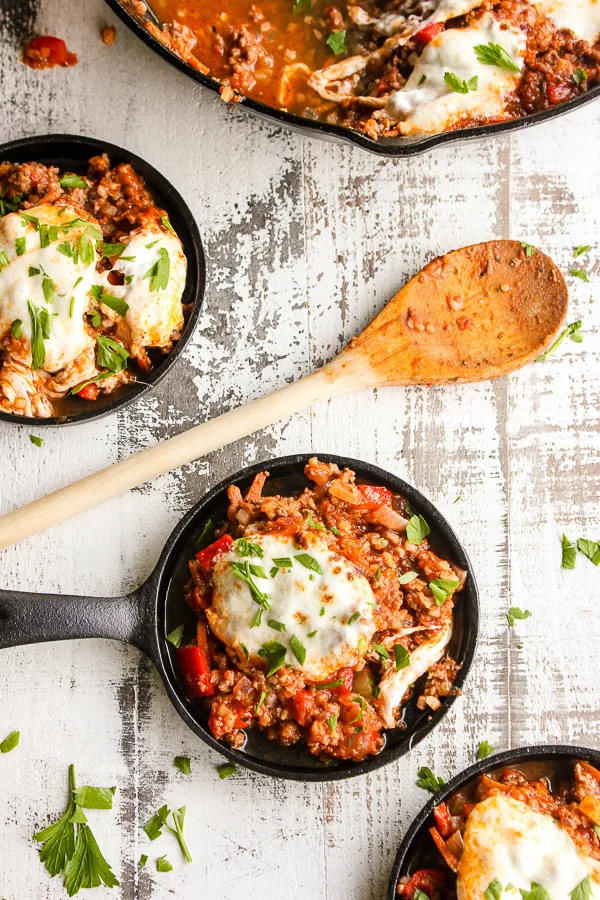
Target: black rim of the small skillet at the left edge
(47, 146)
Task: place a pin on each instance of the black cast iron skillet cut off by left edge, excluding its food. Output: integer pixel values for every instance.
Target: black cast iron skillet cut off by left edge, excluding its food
(71, 152)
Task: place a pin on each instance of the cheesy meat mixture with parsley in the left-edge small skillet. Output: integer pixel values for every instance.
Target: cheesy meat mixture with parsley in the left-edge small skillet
(91, 279)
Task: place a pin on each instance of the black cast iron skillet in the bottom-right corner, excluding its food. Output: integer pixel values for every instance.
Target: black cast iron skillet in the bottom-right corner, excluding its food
(417, 850)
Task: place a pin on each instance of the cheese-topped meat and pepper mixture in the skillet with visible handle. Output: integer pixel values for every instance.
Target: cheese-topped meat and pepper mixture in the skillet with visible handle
(318, 614)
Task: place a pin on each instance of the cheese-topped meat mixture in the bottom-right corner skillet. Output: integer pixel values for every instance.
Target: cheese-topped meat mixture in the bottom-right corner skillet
(532, 834)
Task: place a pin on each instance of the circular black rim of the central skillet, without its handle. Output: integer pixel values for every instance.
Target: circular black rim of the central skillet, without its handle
(160, 583)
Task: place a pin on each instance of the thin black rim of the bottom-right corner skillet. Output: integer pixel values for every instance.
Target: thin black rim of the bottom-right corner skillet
(497, 760)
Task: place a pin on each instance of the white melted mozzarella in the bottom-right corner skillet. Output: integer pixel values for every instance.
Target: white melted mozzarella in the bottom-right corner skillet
(507, 840)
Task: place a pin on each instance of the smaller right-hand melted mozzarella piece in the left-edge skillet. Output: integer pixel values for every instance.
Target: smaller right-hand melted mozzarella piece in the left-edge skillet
(152, 315)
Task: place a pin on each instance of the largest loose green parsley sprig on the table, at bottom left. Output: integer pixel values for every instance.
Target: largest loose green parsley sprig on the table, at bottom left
(70, 847)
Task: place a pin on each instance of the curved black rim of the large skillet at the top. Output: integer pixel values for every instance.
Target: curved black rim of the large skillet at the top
(337, 133)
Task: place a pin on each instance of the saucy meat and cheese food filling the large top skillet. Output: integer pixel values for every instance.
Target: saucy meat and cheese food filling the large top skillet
(403, 67)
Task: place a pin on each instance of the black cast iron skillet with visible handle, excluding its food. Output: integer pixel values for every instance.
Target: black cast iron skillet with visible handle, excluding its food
(144, 617)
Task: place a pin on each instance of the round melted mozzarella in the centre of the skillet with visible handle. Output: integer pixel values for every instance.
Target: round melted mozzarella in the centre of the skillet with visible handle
(296, 596)
